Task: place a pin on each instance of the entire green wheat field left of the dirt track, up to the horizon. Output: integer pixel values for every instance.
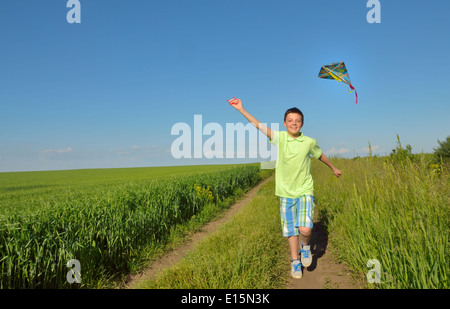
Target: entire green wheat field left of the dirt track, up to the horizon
(107, 219)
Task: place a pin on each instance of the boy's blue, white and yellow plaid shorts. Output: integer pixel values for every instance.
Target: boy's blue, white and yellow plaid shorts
(296, 212)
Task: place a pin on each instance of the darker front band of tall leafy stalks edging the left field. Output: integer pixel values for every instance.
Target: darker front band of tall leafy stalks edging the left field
(105, 230)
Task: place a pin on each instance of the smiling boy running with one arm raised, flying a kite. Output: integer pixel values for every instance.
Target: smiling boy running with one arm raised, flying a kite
(293, 181)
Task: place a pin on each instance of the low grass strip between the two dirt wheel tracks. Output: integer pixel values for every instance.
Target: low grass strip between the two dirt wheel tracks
(247, 252)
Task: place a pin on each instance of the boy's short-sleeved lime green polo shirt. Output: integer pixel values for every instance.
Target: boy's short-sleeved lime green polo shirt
(293, 169)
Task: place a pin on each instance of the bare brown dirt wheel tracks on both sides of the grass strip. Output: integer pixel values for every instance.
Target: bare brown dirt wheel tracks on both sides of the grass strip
(323, 273)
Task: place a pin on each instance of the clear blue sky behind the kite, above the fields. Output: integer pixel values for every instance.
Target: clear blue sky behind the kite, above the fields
(106, 92)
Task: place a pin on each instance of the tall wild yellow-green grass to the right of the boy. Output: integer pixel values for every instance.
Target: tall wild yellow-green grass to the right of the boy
(397, 213)
